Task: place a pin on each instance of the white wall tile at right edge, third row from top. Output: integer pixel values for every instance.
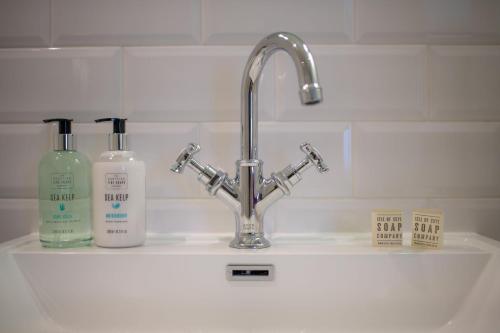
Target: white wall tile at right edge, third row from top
(426, 159)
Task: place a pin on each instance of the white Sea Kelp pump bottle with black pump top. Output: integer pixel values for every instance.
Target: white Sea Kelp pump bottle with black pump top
(119, 183)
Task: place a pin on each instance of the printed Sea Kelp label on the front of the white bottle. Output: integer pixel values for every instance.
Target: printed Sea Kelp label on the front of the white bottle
(116, 198)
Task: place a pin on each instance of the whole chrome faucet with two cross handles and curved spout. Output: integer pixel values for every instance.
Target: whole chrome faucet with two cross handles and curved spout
(249, 194)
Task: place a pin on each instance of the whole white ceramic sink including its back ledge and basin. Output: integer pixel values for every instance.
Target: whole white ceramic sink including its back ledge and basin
(332, 283)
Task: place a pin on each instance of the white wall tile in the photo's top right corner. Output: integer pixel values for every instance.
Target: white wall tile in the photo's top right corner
(428, 21)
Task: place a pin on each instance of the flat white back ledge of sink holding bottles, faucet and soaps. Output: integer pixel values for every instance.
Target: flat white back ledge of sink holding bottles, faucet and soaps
(282, 244)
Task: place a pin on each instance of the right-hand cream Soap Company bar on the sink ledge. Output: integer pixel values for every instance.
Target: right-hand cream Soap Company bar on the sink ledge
(427, 228)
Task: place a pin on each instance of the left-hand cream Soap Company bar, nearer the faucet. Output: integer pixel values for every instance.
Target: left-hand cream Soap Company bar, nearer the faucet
(387, 227)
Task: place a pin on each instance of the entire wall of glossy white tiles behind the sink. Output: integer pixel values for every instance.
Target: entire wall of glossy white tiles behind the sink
(406, 123)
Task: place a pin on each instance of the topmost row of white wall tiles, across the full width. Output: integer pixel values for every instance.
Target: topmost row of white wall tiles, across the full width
(43, 23)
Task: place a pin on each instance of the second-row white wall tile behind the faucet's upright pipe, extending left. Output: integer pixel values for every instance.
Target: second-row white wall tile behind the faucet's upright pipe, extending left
(189, 84)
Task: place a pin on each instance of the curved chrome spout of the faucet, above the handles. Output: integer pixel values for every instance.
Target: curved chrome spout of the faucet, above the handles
(309, 88)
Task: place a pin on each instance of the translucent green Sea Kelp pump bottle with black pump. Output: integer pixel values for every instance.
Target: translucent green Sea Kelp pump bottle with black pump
(64, 190)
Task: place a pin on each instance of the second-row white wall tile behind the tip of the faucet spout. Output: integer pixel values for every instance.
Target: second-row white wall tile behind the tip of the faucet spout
(359, 83)
